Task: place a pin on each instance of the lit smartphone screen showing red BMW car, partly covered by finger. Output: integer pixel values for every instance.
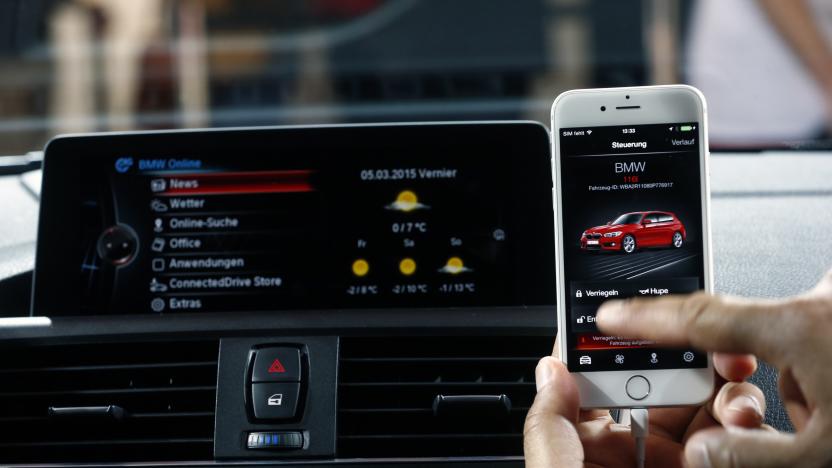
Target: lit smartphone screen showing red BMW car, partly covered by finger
(631, 227)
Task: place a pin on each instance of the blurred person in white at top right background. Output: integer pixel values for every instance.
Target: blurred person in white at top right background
(766, 67)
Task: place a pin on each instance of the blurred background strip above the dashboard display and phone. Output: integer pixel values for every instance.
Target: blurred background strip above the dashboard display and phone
(100, 65)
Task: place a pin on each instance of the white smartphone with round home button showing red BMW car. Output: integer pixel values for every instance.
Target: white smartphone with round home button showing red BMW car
(631, 200)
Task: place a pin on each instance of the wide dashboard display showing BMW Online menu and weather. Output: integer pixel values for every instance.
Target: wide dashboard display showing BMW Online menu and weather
(296, 218)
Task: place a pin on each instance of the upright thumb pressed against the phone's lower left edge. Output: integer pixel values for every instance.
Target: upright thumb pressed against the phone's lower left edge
(549, 435)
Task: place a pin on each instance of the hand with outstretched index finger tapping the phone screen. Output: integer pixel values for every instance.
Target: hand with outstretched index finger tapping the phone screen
(794, 335)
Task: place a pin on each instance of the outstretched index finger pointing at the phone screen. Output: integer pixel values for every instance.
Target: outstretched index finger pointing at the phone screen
(708, 322)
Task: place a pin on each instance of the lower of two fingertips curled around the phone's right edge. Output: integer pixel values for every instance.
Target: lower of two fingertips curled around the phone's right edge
(739, 404)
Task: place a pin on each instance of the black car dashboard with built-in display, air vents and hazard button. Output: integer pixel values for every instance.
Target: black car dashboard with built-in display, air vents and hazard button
(360, 367)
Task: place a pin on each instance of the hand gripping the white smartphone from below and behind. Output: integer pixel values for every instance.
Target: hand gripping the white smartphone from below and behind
(558, 434)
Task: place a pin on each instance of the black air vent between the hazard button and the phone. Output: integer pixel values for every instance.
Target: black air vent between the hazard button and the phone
(389, 389)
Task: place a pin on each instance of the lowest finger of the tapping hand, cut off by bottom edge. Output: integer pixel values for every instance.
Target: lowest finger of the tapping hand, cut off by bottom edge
(718, 447)
